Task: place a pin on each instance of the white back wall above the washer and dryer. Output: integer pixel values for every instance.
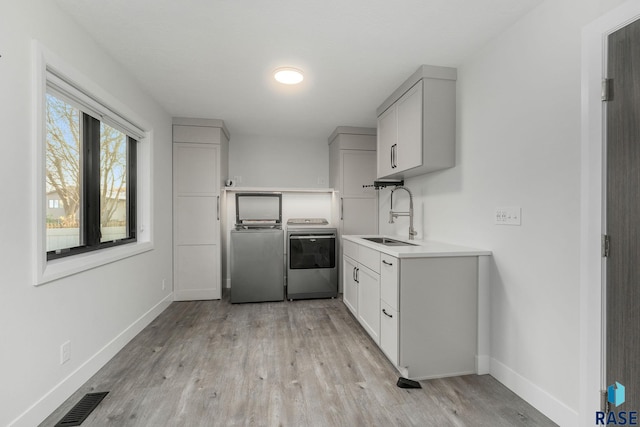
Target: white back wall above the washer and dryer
(284, 162)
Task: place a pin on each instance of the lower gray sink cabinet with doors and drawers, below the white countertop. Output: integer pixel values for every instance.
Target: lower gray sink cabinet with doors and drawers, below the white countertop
(421, 311)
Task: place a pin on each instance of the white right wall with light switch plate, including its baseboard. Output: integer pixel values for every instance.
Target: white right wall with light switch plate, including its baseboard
(518, 131)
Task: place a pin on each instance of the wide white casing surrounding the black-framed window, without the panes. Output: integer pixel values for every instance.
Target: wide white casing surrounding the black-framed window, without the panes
(52, 270)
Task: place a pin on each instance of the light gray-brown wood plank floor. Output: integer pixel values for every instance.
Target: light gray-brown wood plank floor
(301, 363)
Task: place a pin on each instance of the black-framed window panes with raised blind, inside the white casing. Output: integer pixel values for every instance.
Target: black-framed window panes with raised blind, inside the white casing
(90, 173)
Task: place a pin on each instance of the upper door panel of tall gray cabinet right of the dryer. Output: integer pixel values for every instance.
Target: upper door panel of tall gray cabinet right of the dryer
(358, 169)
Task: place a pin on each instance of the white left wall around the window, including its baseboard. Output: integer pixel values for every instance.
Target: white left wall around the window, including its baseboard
(97, 310)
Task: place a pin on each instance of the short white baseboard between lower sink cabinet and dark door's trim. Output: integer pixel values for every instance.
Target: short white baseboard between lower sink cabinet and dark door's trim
(544, 402)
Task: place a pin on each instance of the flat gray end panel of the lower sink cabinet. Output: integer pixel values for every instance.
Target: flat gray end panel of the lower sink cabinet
(439, 312)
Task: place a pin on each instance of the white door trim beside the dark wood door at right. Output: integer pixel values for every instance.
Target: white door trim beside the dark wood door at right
(592, 202)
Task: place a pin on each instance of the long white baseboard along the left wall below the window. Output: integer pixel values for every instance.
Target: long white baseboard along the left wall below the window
(61, 392)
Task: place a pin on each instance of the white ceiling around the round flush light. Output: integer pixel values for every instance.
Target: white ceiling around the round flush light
(214, 58)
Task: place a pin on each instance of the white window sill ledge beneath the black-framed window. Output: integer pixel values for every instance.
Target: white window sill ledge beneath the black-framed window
(63, 267)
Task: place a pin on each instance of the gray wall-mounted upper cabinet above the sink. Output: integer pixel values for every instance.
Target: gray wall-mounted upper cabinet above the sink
(417, 125)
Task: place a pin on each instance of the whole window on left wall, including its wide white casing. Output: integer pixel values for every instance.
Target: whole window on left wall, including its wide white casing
(93, 172)
